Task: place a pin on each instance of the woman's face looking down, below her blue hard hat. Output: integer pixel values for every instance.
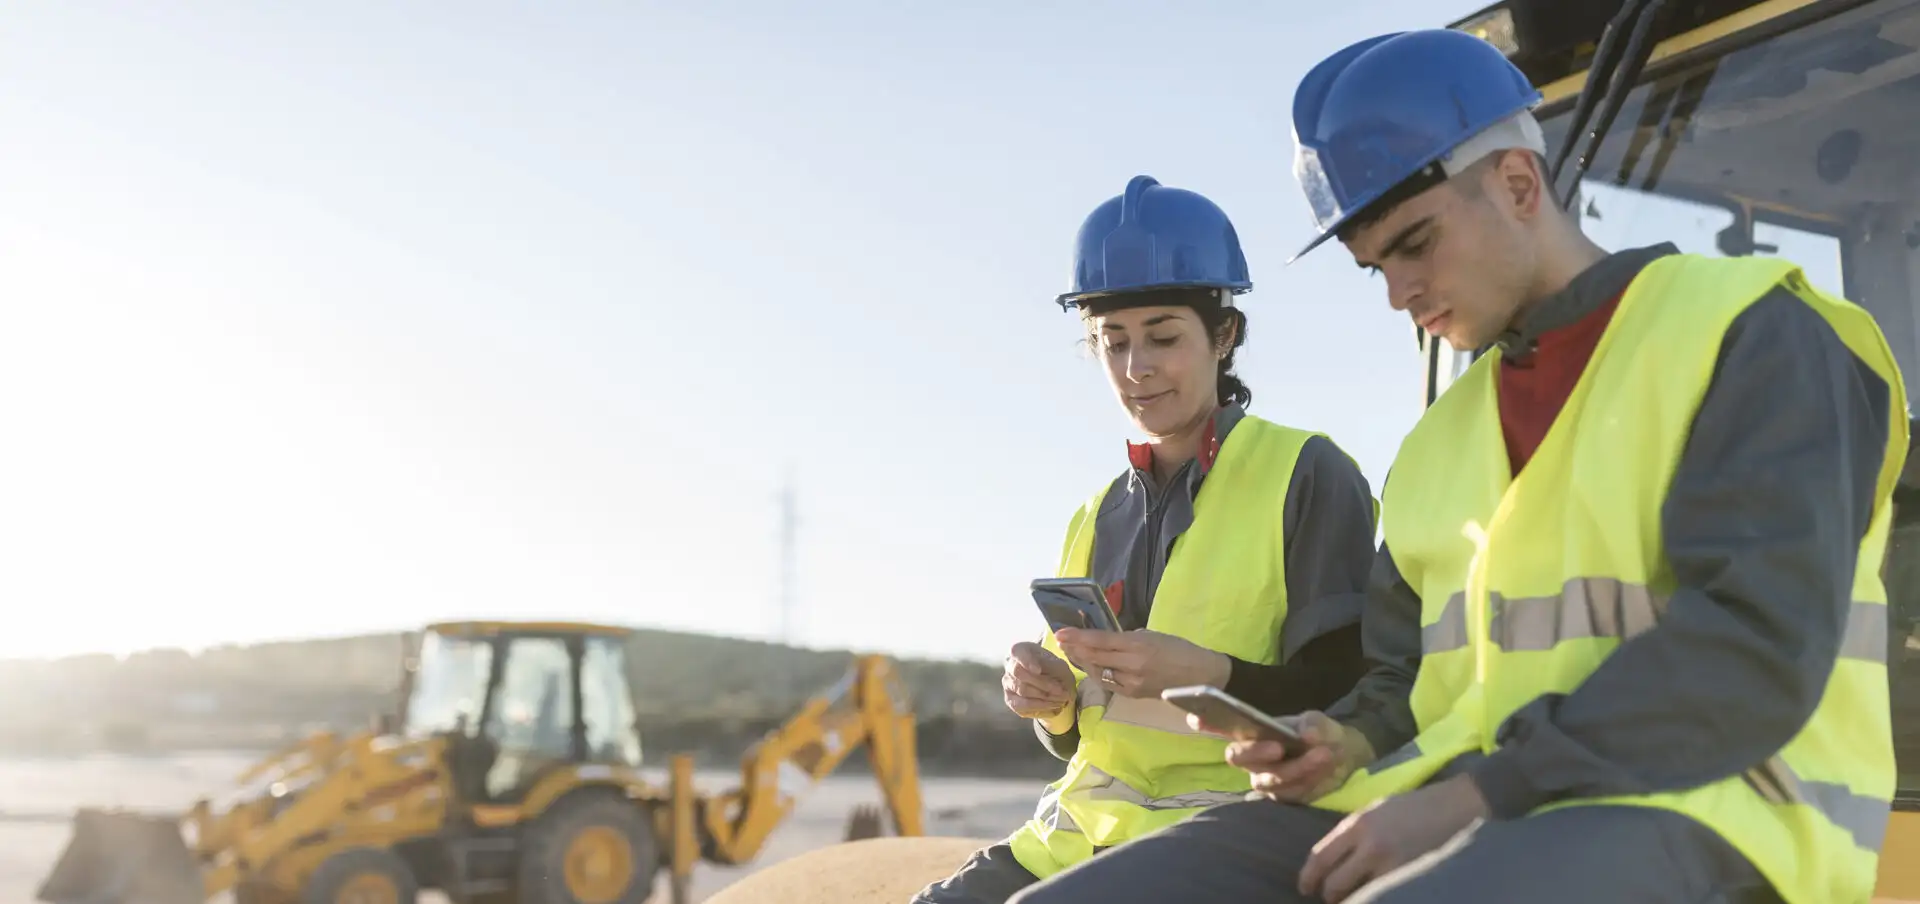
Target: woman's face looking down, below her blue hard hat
(1163, 364)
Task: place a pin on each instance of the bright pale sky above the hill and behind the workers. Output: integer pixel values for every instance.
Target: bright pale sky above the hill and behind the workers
(341, 318)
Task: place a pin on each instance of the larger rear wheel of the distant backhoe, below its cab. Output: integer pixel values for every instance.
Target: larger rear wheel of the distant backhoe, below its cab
(590, 849)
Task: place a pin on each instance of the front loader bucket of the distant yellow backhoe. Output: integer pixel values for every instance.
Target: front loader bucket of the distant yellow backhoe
(124, 859)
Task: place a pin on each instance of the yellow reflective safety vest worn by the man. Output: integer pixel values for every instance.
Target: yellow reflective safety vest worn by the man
(1529, 584)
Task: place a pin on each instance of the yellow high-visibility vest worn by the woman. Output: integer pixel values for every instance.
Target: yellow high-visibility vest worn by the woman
(1140, 767)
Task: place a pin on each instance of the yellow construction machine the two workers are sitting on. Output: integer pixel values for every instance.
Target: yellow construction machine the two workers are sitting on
(1733, 128)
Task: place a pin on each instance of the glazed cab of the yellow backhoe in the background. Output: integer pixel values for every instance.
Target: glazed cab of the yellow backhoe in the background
(517, 702)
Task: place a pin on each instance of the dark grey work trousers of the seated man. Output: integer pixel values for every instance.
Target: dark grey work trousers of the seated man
(1589, 855)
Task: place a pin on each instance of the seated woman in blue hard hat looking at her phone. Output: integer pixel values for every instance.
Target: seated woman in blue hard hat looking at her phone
(1234, 550)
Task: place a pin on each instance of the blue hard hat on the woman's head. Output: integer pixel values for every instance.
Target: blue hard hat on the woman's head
(1155, 237)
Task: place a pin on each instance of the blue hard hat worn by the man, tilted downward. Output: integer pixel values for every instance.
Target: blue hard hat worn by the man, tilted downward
(1391, 107)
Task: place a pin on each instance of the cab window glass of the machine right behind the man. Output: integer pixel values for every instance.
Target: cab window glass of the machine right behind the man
(1815, 139)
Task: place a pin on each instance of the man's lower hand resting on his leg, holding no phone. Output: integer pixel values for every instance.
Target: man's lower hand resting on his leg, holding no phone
(1387, 836)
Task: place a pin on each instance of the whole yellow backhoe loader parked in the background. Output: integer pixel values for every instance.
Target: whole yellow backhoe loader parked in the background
(512, 773)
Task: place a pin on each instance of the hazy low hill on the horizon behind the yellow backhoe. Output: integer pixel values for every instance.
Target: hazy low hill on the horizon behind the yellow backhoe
(702, 694)
